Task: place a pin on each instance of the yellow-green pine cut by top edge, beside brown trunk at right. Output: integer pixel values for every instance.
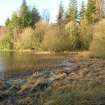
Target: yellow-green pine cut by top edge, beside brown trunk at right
(91, 12)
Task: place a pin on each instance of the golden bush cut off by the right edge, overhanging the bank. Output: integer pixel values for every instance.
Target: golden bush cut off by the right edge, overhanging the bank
(97, 48)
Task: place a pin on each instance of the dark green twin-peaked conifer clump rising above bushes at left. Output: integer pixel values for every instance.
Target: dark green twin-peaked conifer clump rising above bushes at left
(28, 17)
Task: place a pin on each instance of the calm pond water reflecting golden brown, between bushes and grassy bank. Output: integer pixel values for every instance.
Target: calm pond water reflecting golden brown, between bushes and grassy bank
(11, 62)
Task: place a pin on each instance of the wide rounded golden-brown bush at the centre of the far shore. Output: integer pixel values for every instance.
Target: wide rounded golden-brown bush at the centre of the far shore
(55, 40)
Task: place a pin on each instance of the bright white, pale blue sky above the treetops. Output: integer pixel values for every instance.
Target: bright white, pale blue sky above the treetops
(7, 7)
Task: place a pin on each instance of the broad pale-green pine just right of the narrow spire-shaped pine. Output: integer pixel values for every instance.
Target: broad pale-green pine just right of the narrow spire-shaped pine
(72, 11)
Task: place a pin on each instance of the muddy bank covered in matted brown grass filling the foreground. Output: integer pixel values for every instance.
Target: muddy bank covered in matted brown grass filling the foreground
(48, 86)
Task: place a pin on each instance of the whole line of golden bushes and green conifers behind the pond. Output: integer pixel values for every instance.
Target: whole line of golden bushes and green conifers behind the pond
(75, 30)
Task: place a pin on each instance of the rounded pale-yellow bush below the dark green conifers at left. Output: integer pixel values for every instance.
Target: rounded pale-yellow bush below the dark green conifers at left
(27, 39)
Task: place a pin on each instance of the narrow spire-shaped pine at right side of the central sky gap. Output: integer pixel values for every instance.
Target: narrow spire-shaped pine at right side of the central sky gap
(60, 17)
